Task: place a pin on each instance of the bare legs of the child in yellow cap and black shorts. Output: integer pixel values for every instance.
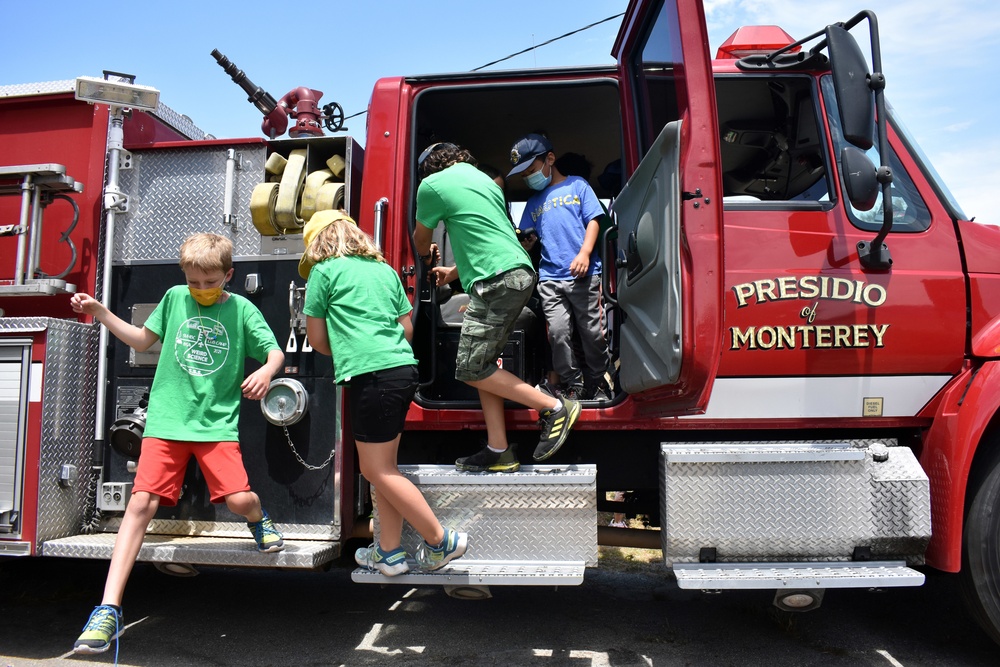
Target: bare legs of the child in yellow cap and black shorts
(398, 498)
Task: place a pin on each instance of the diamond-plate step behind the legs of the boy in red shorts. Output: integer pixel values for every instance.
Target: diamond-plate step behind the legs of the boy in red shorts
(198, 550)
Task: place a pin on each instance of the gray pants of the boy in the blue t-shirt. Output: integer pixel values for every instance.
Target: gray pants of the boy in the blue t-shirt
(575, 303)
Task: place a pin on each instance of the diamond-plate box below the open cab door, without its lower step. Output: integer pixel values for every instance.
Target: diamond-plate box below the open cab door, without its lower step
(525, 516)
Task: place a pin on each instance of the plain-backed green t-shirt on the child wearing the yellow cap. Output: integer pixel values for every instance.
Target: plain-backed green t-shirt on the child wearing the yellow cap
(360, 299)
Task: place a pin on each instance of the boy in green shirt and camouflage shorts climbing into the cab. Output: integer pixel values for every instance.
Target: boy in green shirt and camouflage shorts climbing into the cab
(497, 275)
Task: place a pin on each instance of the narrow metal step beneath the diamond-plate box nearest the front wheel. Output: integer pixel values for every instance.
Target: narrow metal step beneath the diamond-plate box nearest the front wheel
(873, 574)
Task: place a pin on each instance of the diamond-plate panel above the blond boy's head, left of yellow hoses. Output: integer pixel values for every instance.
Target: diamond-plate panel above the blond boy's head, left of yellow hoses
(174, 193)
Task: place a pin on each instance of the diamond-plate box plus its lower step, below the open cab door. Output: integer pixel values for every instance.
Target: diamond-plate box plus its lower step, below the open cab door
(537, 526)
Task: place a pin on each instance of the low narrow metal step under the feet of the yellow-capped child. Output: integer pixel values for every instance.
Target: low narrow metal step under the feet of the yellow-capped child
(485, 573)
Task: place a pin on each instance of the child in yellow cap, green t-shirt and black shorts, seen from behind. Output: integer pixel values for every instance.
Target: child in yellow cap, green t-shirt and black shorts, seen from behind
(357, 312)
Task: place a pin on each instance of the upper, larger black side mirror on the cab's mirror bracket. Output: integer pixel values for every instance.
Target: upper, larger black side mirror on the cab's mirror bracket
(855, 98)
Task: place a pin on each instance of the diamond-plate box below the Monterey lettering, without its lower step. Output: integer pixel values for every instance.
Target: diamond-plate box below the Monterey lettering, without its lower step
(794, 510)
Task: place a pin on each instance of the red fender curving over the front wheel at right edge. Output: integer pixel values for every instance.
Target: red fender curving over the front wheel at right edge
(968, 405)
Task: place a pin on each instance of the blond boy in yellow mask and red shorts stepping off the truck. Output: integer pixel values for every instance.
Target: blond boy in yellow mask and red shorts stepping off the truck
(194, 407)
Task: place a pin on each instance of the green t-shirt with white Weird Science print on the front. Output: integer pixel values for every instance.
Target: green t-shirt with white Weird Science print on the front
(196, 388)
